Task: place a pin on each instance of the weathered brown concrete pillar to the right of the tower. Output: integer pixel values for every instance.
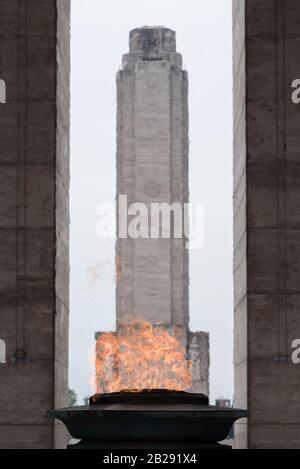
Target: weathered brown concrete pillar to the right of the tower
(266, 223)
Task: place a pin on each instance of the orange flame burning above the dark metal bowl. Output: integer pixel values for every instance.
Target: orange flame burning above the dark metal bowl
(141, 356)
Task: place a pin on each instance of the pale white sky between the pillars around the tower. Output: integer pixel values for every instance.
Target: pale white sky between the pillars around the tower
(100, 30)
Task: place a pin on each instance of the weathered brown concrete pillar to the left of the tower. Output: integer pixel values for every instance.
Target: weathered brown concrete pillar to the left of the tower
(34, 180)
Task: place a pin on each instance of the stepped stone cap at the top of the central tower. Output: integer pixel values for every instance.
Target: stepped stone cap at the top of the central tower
(151, 43)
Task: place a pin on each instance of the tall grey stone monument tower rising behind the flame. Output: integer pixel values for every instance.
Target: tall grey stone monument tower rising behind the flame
(152, 168)
